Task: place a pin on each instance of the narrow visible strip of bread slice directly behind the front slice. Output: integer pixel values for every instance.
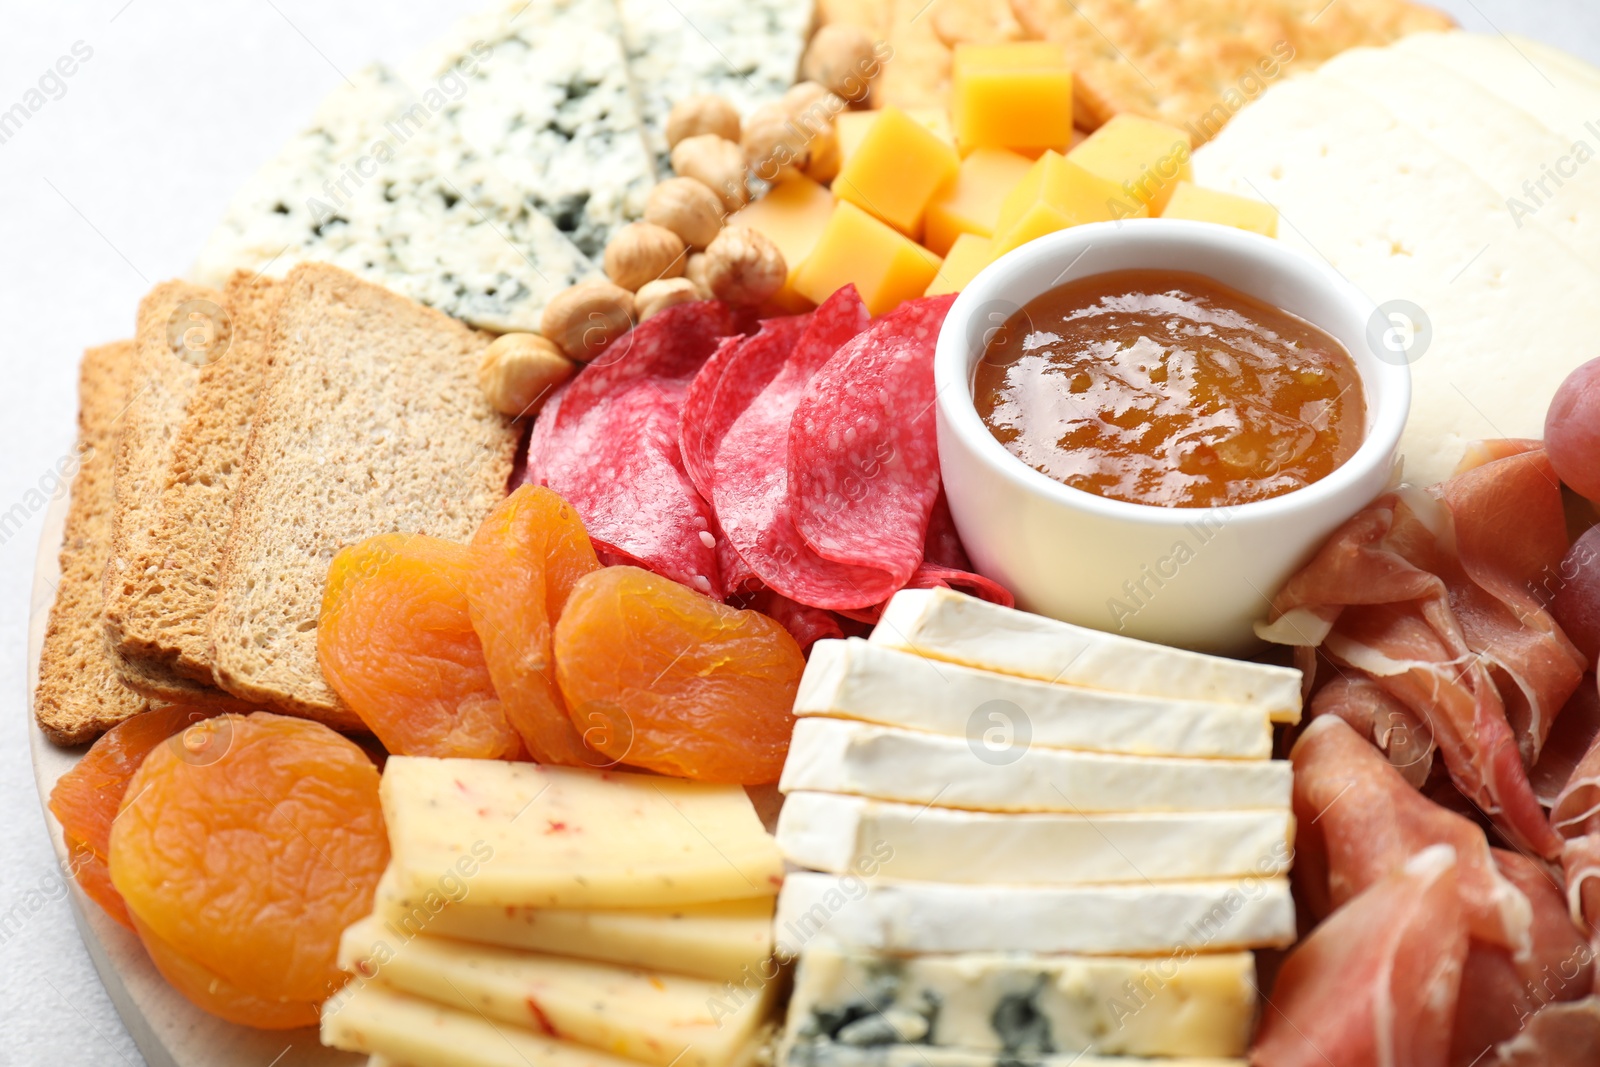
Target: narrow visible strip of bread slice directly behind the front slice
(170, 586)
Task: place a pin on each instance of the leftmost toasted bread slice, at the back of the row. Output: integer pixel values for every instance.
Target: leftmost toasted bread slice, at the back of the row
(79, 693)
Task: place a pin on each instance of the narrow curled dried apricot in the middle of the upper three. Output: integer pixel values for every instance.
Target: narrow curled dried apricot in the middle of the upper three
(526, 561)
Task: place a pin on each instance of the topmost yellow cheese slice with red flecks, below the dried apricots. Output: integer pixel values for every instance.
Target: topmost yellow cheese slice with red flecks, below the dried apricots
(564, 837)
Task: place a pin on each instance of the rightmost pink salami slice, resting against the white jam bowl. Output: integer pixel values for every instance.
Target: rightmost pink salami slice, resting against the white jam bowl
(863, 458)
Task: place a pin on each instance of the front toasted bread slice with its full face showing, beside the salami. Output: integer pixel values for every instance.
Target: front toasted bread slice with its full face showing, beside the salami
(372, 422)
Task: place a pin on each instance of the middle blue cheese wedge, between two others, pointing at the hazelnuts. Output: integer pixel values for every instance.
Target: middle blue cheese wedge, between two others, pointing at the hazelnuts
(551, 108)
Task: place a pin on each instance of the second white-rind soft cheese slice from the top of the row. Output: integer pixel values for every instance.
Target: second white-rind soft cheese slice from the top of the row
(857, 679)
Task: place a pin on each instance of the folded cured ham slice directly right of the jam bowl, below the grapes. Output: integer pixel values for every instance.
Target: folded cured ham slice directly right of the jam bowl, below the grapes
(1431, 597)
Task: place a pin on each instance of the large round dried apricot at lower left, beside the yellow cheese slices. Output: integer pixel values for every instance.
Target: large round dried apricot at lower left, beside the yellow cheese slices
(241, 869)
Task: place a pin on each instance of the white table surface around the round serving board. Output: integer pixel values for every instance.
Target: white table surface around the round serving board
(113, 188)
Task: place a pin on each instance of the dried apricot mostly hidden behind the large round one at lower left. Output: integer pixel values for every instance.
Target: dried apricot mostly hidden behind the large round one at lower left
(86, 799)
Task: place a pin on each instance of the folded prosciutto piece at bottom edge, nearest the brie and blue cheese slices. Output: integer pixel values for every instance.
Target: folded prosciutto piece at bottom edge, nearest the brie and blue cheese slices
(1377, 985)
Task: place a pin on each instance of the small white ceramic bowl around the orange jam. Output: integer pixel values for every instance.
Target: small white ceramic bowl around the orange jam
(1188, 577)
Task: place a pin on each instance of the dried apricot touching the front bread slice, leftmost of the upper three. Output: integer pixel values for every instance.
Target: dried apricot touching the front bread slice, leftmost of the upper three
(398, 644)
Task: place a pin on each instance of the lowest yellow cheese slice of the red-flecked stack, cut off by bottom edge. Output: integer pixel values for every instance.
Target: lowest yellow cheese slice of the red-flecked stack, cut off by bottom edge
(369, 1017)
